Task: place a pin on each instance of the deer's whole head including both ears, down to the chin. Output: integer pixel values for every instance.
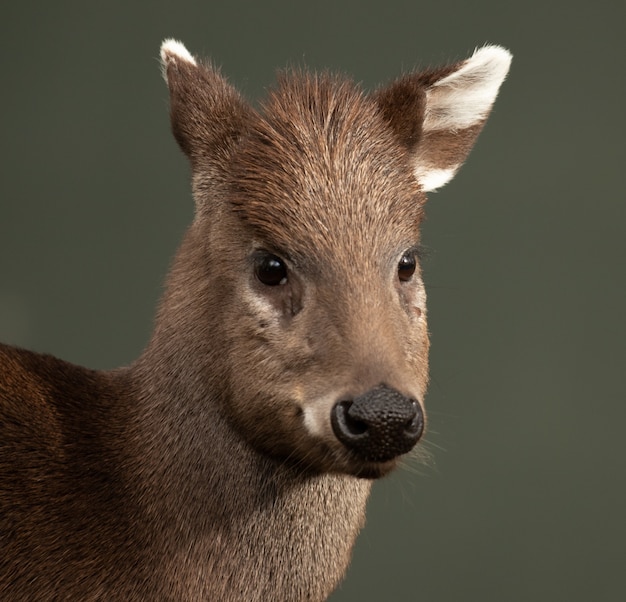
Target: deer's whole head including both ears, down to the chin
(313, 206)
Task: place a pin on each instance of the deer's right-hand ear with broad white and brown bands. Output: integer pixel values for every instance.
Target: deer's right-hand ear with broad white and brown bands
(438, 114)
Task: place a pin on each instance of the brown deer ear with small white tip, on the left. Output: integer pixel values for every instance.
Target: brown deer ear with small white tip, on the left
(207, 114)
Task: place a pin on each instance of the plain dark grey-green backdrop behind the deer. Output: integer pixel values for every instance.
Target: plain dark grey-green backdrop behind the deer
(525, 498)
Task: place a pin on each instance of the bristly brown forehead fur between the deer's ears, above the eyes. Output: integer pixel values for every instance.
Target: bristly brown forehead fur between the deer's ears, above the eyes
(320, 166)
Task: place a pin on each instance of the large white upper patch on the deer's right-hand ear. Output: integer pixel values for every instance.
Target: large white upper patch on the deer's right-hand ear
(464, 98)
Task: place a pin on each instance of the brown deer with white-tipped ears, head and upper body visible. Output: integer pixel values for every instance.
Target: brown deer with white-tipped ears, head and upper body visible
(288, 364)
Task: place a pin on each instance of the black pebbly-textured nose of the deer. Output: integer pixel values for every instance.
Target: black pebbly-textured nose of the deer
(378, 425)
